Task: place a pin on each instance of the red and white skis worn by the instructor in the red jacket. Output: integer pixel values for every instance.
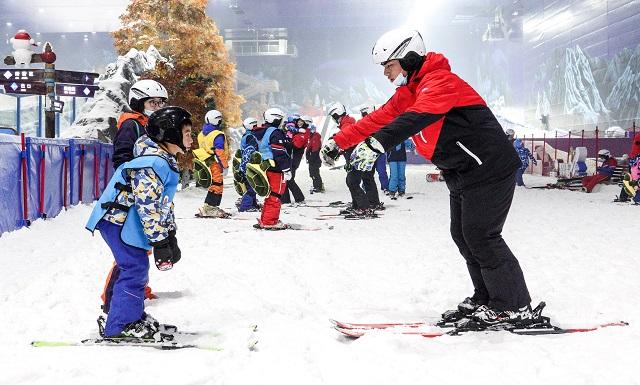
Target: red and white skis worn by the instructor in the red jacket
(539, 326)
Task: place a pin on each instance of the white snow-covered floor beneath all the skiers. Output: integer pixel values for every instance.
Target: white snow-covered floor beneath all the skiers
(578, 252)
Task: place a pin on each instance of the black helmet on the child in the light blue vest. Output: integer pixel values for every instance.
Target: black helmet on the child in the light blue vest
(165, 125)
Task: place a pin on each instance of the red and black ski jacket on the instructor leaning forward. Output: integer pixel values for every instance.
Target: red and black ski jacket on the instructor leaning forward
(449, 122)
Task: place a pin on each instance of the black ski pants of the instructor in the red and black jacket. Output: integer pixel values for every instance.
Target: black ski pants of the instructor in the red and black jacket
(477, 216)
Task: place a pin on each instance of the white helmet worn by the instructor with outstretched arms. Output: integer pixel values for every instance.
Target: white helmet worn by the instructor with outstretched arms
(396, 44)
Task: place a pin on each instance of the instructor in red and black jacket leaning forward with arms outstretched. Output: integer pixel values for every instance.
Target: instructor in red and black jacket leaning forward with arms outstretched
(452, 126)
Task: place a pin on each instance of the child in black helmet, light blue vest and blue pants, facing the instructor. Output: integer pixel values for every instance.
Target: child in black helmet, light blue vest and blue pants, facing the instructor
(135, 215)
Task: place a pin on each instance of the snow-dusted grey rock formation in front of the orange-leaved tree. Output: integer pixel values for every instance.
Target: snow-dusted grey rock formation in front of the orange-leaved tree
(98, 118)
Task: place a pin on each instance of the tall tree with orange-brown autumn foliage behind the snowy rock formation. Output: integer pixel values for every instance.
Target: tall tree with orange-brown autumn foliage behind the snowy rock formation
(199, 75)
